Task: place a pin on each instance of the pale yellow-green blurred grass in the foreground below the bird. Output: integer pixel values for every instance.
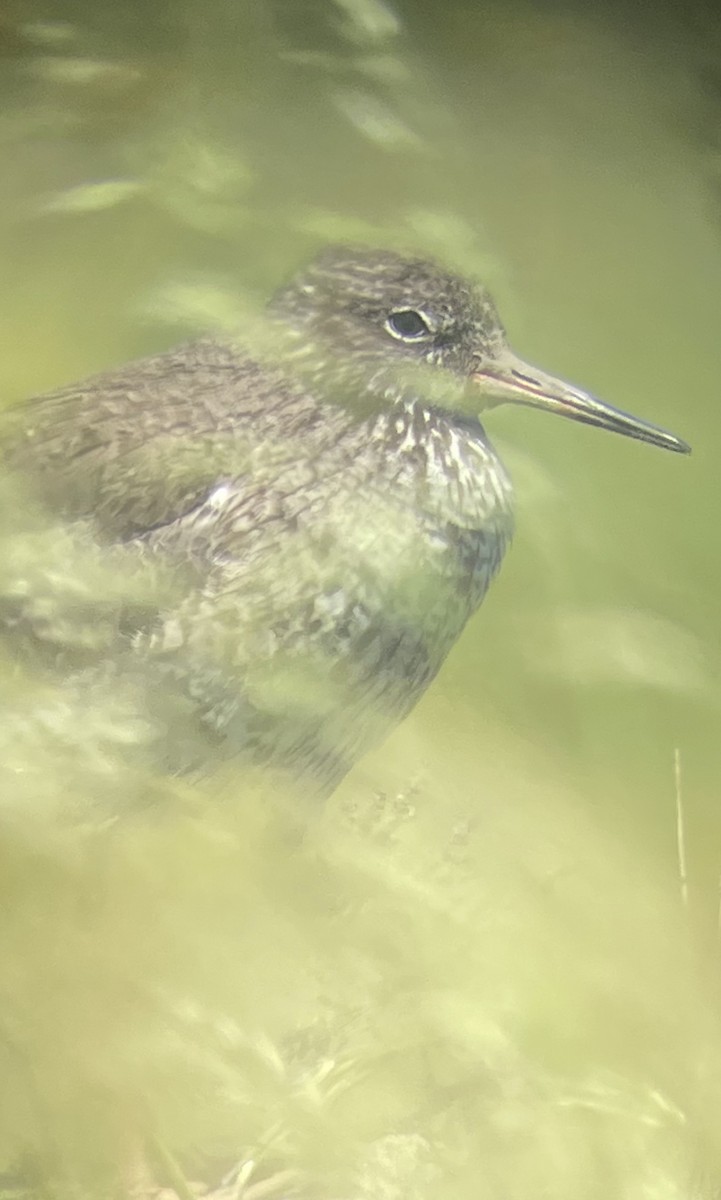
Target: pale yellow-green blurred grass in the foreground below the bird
(422, 995)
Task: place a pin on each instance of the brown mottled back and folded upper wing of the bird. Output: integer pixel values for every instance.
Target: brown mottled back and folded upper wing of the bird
(142, 447)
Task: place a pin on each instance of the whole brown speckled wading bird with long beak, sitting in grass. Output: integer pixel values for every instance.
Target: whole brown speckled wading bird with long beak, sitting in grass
(323, 493)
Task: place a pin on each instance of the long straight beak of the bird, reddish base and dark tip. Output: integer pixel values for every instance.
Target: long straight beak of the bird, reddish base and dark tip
(510, 380)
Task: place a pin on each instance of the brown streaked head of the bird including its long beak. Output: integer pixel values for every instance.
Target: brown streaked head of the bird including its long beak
(377, 325)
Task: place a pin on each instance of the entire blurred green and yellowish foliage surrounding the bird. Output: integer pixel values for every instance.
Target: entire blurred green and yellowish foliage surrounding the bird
(473, 976)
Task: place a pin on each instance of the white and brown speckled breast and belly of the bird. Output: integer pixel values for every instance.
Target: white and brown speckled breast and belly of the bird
(347, 593)
